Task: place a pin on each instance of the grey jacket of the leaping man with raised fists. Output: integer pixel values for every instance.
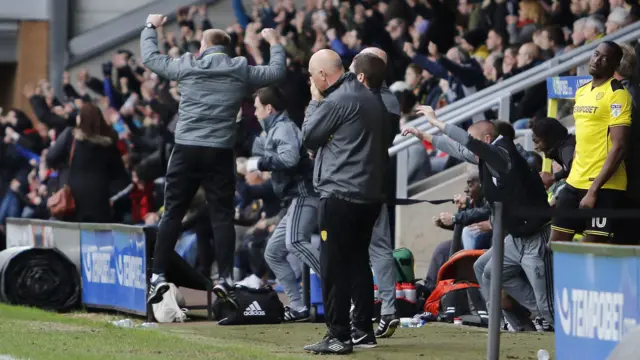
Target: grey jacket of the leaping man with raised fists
(212, 87)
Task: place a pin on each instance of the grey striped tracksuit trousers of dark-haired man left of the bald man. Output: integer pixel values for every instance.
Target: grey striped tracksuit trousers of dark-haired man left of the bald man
(293, 235)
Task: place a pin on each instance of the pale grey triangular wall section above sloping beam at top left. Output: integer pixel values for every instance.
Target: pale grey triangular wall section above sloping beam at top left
(86, 14)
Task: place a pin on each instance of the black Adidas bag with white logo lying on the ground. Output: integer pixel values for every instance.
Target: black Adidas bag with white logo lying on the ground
(255, 306)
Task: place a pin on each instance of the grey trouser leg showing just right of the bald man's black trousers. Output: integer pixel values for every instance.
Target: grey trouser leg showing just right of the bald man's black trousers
(383, 263)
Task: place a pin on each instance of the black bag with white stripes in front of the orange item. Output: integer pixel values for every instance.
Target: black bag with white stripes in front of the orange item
(465, 303)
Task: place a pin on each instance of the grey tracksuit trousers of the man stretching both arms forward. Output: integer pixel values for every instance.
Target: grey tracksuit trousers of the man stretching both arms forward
(531, 255)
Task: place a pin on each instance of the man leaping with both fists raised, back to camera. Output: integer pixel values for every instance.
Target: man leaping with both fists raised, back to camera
(212, 87)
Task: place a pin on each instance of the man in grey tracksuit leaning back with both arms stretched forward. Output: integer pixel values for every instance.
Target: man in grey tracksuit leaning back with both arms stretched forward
(505, 177)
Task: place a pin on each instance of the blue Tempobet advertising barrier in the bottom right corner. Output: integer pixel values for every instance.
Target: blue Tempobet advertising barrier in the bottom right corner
(596, 289)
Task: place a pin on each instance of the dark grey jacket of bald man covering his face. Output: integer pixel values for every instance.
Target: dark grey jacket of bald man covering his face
(345, 130)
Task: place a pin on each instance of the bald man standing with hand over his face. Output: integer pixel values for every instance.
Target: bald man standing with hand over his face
(343, 131)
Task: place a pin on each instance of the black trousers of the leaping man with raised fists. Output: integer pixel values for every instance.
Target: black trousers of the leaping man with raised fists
(189, 168)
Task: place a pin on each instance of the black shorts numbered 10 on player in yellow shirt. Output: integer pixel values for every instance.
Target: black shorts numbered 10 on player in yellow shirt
(569, 199)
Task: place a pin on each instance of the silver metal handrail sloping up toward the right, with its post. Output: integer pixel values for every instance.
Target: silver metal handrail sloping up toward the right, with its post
(498, 95)
